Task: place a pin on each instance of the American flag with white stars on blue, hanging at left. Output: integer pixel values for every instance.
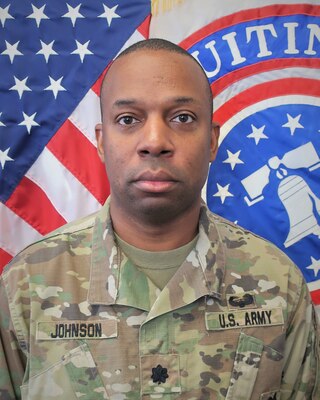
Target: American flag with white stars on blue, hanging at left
(52, 58)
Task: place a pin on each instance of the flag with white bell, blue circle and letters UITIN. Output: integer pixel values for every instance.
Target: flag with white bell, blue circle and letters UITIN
(262, 60)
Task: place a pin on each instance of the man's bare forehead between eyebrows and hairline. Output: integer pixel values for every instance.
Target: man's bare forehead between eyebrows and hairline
(166, 69)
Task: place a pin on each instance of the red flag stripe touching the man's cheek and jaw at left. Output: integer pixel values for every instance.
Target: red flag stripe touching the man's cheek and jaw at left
(80, 157)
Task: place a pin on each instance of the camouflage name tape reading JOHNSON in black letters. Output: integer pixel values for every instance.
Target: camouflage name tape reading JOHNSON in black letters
(57, 330)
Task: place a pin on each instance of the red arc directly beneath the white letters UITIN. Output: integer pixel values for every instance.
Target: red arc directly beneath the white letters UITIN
(220, 84)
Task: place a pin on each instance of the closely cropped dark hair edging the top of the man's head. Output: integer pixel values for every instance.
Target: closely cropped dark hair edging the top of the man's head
(157, 44)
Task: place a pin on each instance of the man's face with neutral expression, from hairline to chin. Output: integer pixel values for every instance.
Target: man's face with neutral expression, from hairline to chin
(156, 139)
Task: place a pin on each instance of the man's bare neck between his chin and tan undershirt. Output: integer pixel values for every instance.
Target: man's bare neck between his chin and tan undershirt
(159, 237)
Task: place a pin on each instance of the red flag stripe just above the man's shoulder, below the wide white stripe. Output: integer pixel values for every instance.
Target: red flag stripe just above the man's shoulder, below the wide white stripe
(31, 203)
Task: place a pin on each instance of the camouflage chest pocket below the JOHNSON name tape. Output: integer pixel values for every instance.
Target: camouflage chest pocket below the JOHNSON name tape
(74, 376)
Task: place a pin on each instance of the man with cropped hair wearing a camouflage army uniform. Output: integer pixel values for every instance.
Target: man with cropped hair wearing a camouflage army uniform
(155, 297)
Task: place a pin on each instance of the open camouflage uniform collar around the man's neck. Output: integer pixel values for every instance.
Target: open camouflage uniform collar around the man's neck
(114, 280)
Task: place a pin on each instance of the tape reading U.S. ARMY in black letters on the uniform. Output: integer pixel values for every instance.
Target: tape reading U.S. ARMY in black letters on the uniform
(244, 318)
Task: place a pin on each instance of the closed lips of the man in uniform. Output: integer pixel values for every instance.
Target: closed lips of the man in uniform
(155, 182)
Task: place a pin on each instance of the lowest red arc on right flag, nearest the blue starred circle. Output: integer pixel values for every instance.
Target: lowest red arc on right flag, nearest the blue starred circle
(281, 87)
